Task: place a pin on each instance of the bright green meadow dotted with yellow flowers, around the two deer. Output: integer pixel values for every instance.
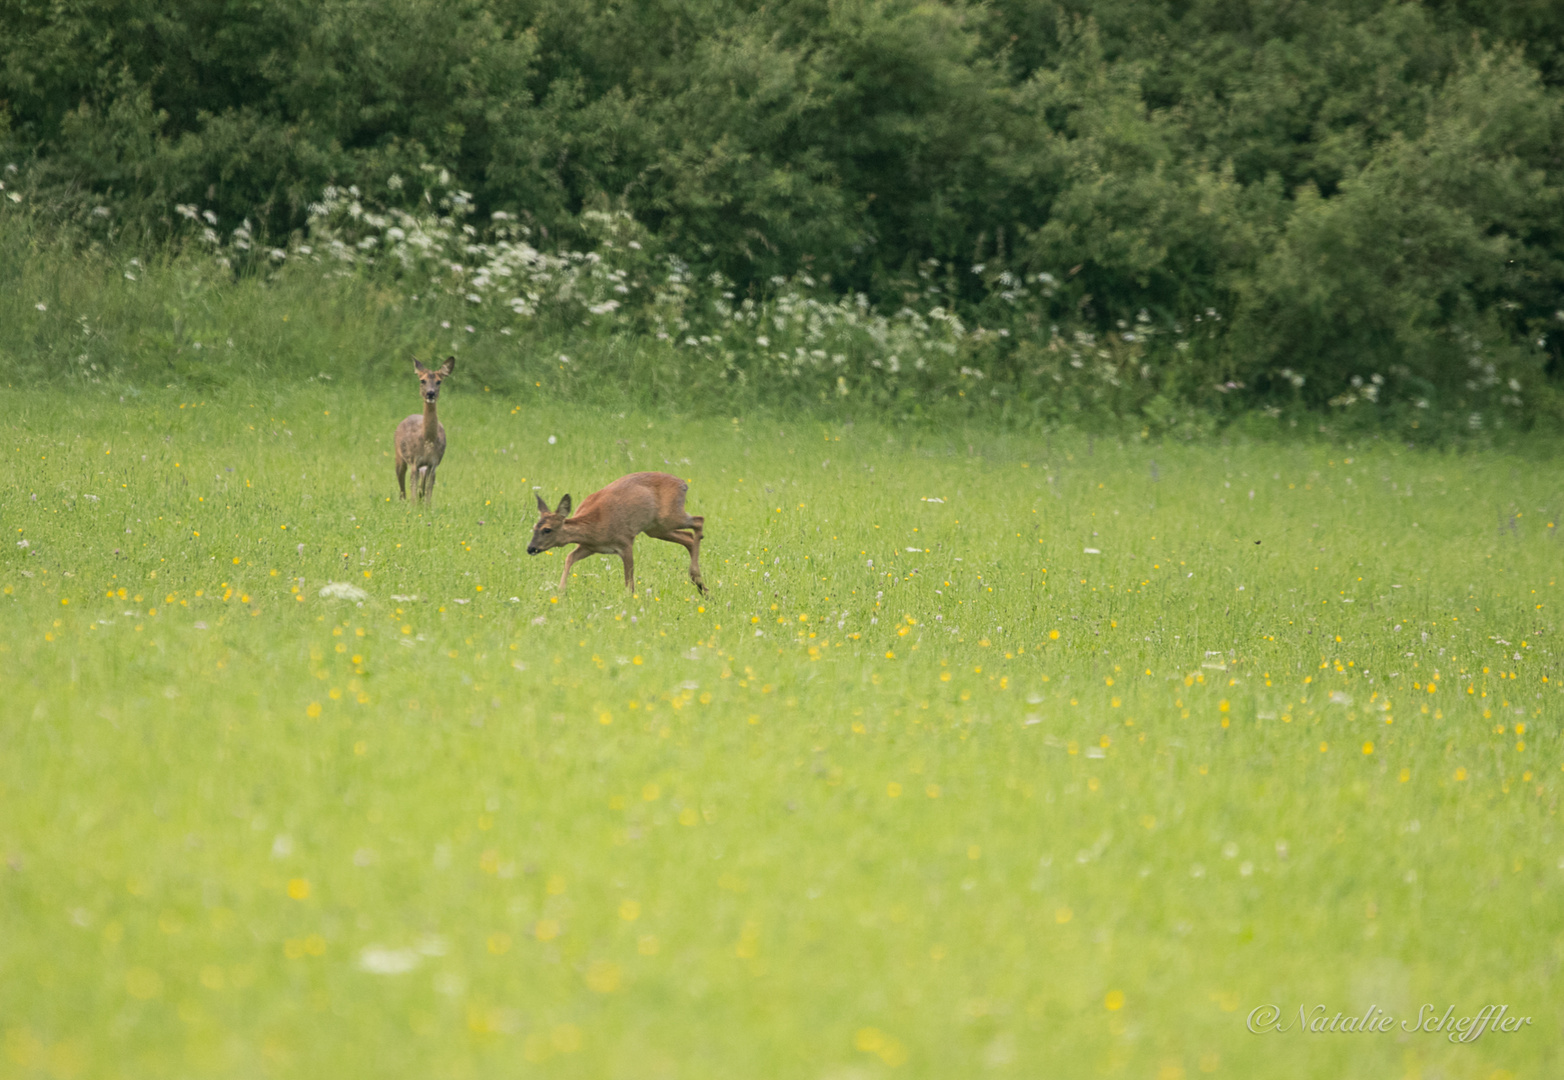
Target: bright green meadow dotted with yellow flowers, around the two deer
(995, 806)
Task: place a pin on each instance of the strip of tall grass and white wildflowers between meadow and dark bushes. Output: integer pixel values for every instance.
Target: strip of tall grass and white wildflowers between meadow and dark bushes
(622, 321)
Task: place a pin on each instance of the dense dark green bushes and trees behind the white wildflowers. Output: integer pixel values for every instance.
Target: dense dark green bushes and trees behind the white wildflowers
(1325, 191)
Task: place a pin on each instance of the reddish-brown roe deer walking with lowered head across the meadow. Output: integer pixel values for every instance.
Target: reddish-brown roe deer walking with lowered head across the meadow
(611, 520)
